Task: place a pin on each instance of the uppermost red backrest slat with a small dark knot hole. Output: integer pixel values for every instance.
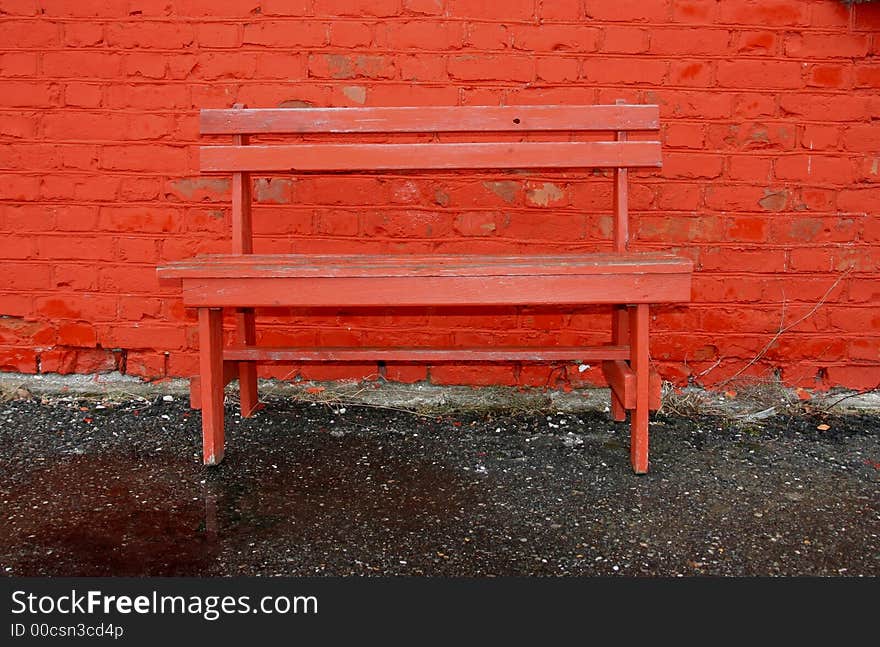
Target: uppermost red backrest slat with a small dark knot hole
(430, 119)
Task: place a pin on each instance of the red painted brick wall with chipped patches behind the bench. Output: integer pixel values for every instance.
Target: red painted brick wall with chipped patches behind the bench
(771, 135)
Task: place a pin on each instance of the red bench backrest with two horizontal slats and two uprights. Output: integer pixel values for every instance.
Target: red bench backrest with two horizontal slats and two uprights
(242, 158)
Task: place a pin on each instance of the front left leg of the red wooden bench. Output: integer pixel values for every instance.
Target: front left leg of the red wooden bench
(211, 369)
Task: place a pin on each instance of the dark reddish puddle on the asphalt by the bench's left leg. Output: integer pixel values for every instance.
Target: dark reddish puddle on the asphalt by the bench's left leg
(118, 514)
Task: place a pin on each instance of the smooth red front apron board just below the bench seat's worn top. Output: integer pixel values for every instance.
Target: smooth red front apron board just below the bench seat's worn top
(389, 292)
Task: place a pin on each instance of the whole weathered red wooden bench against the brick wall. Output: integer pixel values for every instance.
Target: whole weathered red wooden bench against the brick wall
(244, 280)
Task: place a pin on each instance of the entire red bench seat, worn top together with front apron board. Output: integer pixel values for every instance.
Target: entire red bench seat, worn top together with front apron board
(430, 280)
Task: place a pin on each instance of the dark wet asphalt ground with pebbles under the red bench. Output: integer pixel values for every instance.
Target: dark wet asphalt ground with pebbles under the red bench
(97, 487)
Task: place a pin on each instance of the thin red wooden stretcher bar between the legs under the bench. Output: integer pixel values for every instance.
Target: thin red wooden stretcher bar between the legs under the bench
(426, 355)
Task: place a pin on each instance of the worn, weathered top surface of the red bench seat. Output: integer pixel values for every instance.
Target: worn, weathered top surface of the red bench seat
(415, 265)
